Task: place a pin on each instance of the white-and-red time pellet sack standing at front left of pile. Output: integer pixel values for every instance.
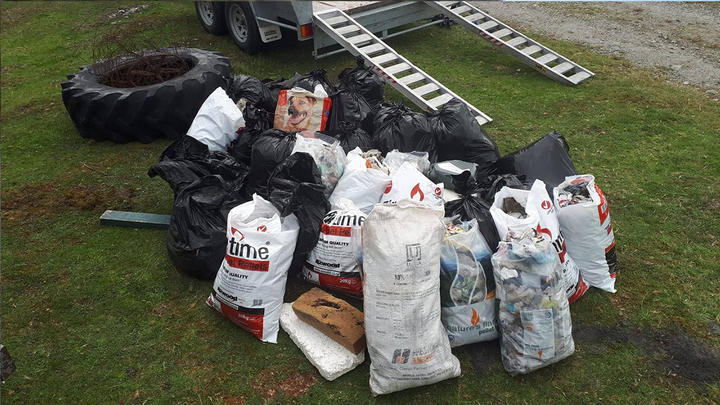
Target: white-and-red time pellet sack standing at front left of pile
(250, 285)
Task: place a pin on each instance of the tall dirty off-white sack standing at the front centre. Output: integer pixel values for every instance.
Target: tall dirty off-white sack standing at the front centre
(406, 340)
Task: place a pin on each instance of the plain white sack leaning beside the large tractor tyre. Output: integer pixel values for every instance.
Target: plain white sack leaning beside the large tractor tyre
(217, 122)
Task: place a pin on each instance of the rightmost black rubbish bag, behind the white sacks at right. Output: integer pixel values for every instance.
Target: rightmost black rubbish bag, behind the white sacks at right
(546, 159)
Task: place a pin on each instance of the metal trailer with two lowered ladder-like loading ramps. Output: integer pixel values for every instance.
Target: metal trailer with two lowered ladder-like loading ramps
(360, 27)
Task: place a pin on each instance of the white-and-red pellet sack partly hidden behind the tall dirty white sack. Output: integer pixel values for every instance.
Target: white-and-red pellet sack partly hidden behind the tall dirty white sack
(333, 263)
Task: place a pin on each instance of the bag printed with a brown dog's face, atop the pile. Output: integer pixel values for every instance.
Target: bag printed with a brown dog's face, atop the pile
(299, 110)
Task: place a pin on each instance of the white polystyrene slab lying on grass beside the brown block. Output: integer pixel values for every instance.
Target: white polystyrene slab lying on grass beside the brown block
(330, 358)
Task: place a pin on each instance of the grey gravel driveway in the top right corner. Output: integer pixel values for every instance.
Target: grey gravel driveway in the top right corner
(680, 39)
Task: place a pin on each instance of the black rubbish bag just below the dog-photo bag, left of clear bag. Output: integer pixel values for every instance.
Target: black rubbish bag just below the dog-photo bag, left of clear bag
(269, 150)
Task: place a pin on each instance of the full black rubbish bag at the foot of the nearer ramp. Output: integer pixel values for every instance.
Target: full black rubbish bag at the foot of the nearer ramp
(460, 137)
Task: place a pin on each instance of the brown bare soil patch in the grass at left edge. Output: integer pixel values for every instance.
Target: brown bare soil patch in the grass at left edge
(39, 200)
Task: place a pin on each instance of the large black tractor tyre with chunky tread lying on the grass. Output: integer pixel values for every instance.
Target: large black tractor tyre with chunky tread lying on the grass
(163, 110)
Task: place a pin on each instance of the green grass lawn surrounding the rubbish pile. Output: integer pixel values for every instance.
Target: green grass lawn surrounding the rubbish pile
(95, 314)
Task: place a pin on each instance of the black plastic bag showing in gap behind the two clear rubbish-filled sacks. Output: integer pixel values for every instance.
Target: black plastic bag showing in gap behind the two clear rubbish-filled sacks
(471, 205)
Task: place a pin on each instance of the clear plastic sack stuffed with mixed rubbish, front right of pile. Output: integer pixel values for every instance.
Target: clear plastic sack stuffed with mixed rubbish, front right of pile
(534, 314)
